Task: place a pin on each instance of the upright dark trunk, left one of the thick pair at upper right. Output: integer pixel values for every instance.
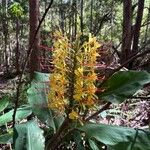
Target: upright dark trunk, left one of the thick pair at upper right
(126, 35)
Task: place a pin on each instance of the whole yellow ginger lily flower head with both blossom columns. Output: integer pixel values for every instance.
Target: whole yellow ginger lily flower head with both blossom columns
(72, 83)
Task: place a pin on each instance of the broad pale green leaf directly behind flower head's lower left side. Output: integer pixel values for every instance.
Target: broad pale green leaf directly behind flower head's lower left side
(37, 97)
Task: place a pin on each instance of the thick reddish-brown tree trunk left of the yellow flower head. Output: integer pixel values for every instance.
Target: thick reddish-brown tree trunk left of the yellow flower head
(34, 22)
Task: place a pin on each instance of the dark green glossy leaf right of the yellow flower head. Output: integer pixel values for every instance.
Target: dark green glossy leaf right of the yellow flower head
(123, 84)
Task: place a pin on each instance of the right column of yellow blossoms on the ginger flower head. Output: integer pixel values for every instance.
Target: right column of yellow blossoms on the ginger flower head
(90, 56)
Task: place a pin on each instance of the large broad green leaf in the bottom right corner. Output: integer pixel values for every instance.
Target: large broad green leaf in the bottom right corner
(115, 137)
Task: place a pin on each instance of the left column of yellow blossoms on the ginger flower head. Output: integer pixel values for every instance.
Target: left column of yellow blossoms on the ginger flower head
(58, 81)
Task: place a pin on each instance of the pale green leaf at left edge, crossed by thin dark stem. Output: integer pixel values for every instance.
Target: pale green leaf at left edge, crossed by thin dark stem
(20, 114)
